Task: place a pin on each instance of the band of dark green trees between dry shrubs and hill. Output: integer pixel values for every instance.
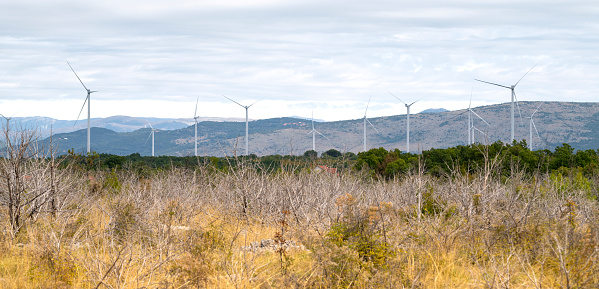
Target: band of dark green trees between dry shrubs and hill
(379, 162)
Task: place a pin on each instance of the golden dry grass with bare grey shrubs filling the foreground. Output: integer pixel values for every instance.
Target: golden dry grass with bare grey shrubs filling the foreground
(176, 232)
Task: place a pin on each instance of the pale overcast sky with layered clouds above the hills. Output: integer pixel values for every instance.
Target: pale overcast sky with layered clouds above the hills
(154, 58)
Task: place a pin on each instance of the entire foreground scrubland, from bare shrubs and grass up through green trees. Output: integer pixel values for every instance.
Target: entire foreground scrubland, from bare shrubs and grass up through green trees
(496, 222)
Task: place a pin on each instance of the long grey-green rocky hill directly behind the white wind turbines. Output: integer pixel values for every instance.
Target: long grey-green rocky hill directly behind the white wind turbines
(557, 123)
